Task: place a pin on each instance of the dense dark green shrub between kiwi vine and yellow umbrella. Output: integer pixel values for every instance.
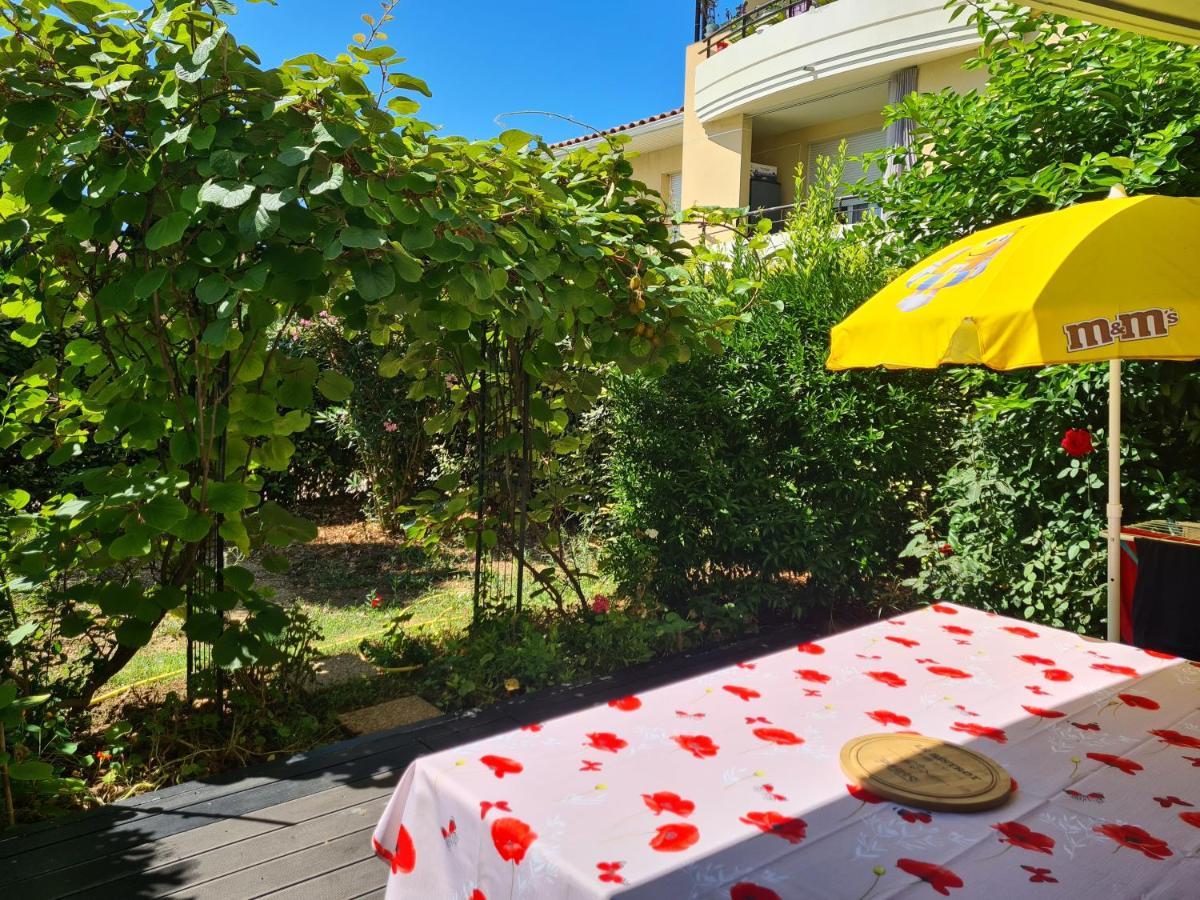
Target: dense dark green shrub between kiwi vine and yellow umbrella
(736, 470)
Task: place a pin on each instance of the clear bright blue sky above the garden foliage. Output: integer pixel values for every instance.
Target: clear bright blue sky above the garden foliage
(602, 62)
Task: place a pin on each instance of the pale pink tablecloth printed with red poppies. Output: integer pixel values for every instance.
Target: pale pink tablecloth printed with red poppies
(728, 785)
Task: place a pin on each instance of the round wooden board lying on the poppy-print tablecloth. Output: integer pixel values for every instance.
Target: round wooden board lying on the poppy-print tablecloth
(926, 773)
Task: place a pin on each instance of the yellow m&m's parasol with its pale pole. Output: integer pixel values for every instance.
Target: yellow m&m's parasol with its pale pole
(1113, 280)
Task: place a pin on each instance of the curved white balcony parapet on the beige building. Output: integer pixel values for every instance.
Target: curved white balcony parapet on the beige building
(791, 58)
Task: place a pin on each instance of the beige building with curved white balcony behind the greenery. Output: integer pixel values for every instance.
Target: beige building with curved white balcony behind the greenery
(785, 82)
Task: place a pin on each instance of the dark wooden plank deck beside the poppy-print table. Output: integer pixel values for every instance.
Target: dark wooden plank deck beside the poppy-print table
(299, 830)
